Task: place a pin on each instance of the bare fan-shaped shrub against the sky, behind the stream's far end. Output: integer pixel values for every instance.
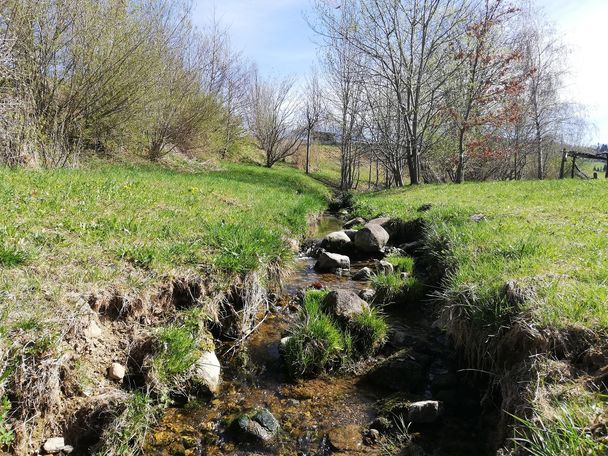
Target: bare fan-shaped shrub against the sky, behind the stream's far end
(271, 118)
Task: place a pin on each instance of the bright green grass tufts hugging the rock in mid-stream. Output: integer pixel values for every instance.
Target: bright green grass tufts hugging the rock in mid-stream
(318, 343)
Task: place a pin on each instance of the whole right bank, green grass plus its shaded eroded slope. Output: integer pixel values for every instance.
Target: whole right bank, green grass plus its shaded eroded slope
(524, 285)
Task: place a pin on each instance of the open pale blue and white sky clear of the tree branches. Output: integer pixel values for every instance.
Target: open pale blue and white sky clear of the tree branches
(275, 35)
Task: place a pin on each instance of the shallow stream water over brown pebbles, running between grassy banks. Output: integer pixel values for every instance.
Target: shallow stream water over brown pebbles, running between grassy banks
(308, 410)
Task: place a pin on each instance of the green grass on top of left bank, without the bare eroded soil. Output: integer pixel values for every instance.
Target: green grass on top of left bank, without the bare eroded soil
(81, 231)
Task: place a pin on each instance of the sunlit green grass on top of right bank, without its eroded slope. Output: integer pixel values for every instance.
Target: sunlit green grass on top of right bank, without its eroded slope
(550, 237)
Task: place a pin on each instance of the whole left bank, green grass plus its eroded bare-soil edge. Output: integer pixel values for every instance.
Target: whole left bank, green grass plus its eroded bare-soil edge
(156, 252)
